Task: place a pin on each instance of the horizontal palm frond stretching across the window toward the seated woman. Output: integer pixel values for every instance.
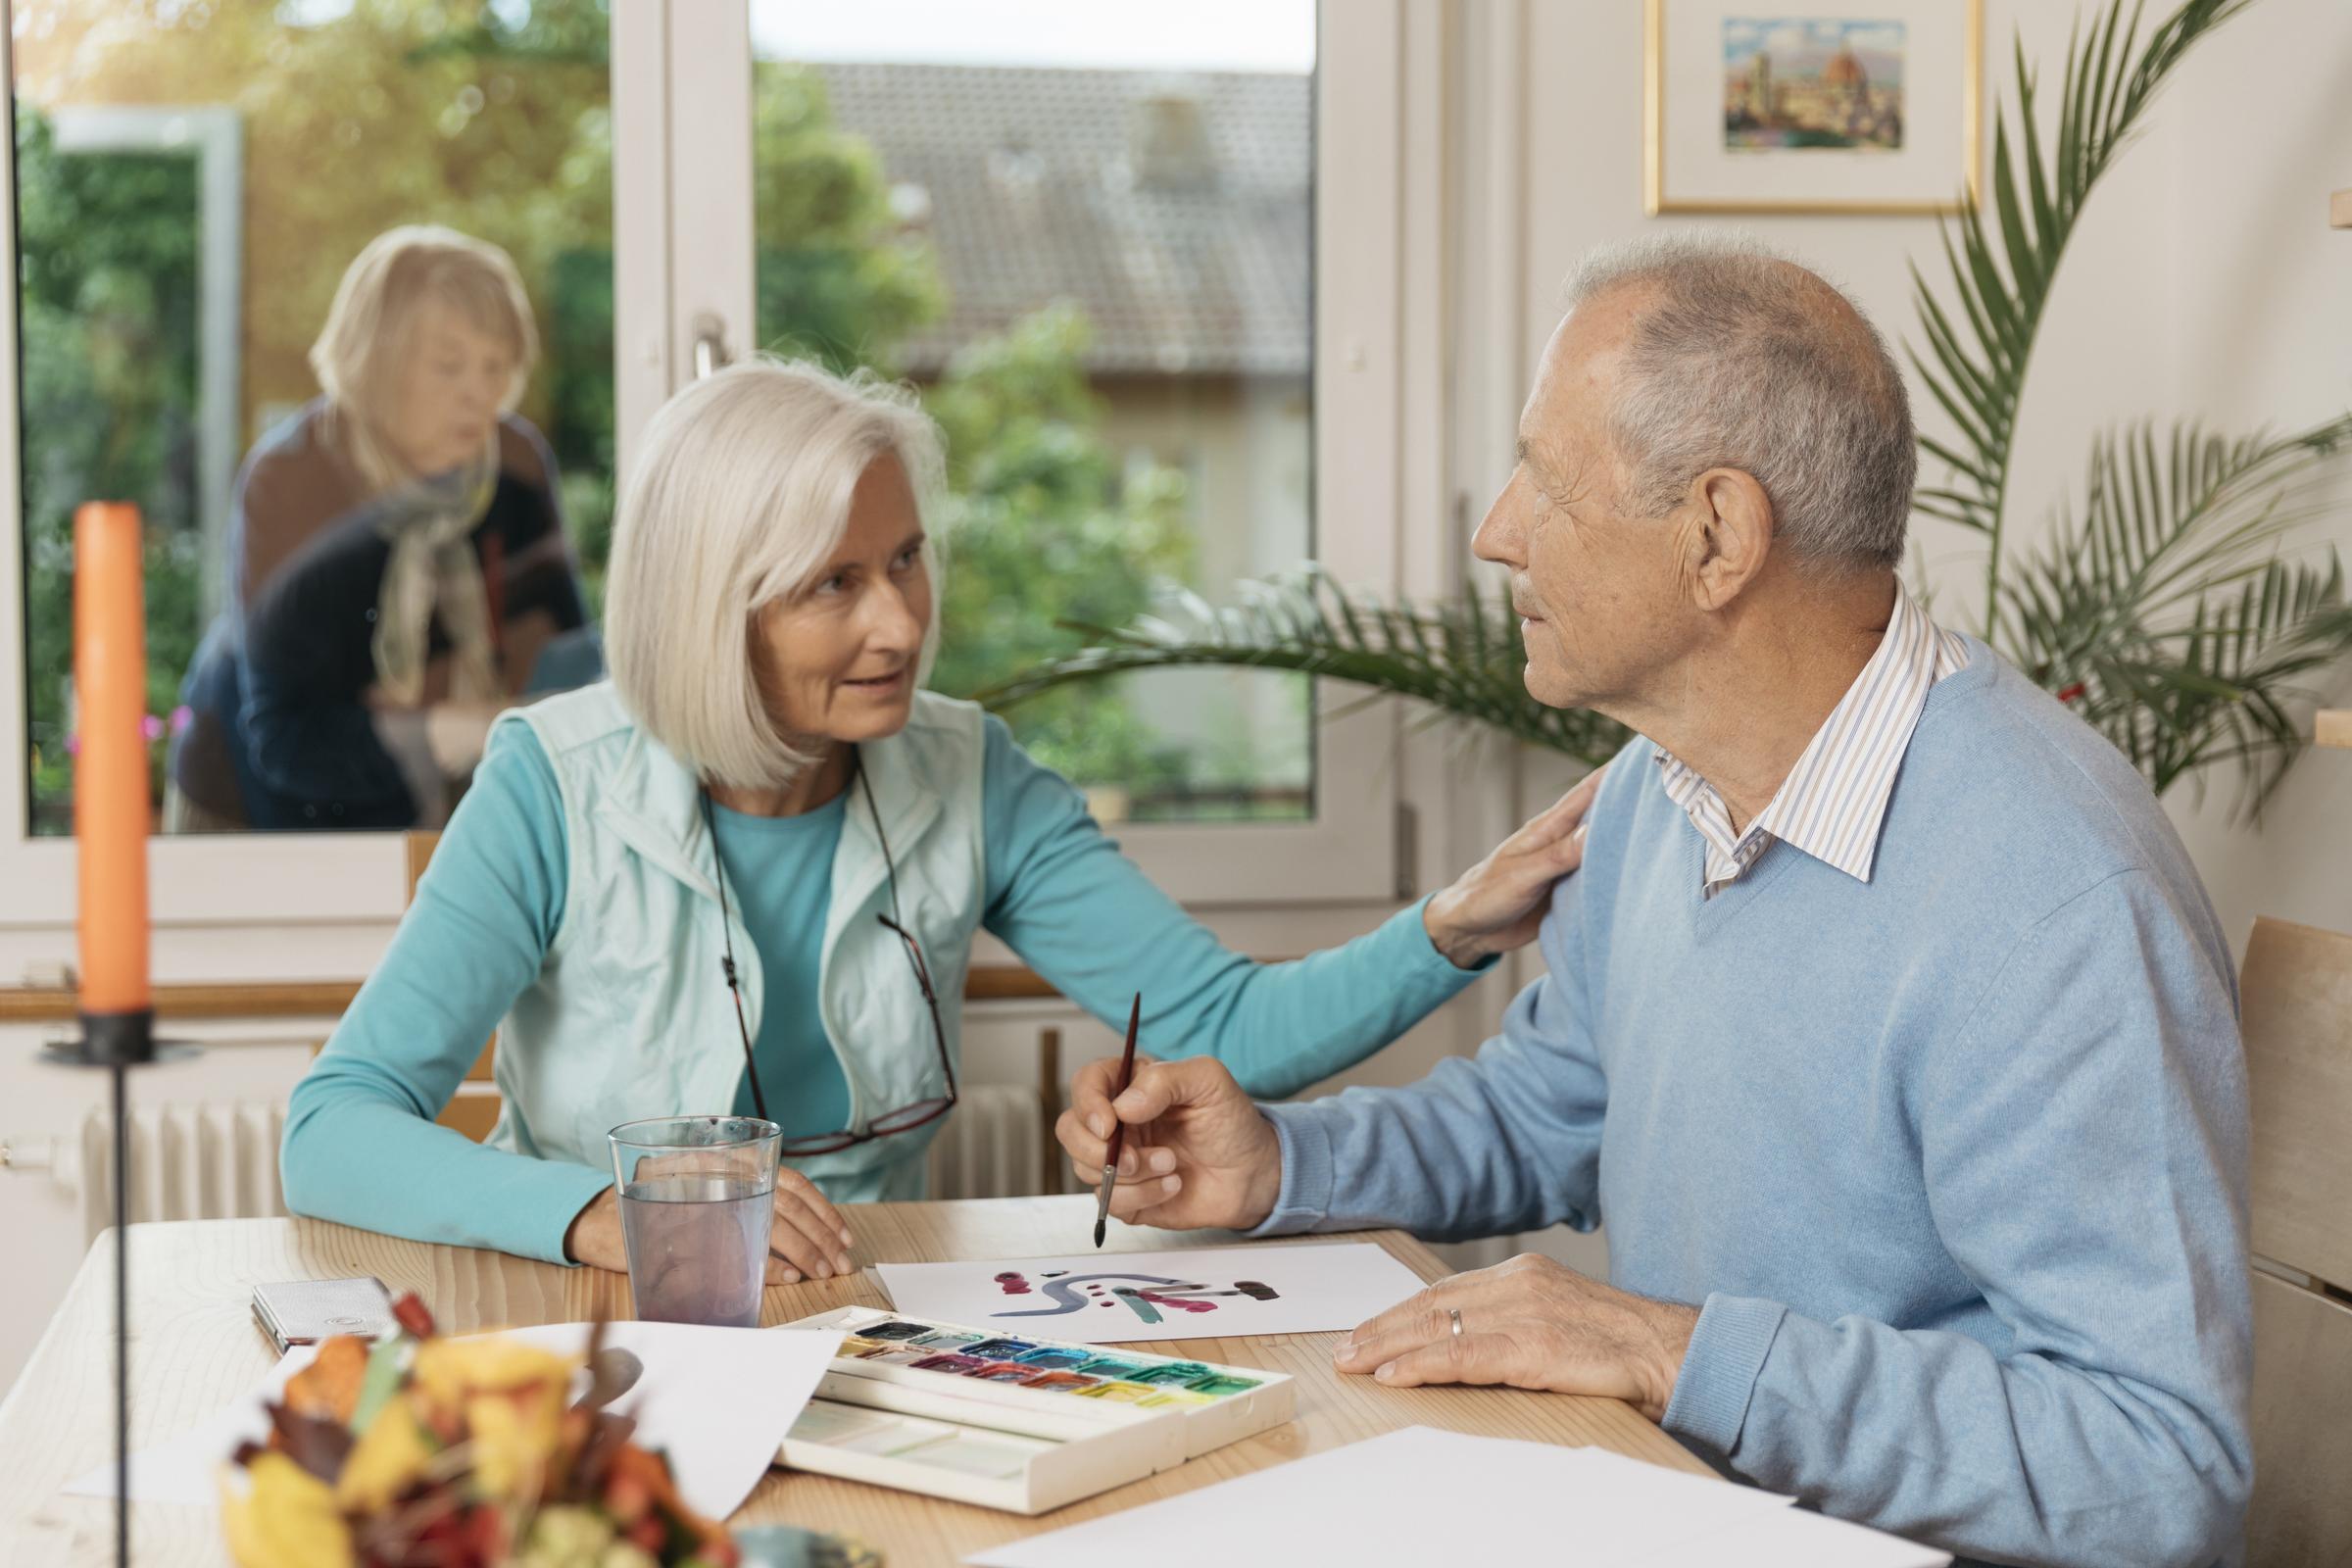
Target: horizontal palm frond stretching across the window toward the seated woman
(1464, 662)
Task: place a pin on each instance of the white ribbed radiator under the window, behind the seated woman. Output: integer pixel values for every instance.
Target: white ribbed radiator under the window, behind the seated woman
(220, 1160)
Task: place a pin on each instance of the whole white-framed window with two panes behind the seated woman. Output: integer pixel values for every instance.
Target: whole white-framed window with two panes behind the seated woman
(1130, 342)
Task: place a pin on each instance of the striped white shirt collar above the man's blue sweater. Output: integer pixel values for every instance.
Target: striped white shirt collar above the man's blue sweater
(1831, 805)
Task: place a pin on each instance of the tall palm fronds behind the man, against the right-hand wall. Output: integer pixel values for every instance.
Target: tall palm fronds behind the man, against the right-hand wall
(2163, 608)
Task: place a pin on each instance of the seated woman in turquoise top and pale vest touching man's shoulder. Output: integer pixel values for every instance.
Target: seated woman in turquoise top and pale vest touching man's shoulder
(747, 876)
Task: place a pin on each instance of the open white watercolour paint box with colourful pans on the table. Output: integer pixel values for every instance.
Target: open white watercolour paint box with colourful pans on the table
(1015, 1423)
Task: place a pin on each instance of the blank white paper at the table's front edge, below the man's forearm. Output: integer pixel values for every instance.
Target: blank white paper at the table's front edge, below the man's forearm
(1450, 1499)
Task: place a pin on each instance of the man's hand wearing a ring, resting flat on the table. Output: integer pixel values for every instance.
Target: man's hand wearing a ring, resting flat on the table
(1535, 1325)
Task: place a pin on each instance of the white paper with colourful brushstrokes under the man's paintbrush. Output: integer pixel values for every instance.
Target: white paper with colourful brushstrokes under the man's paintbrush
(1194, 1294)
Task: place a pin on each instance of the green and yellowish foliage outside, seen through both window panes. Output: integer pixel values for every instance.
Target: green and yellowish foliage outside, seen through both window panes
(495, 121)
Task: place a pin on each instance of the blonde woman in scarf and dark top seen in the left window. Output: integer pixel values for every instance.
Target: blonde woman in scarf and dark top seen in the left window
(396, 561)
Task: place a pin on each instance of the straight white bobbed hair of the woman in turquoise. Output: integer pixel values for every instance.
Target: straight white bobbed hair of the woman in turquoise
(740, 497)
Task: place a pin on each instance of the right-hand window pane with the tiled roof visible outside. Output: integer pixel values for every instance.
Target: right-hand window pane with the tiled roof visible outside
(1088, 236)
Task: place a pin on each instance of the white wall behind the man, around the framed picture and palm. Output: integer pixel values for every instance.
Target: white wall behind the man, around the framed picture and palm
(2203, 281)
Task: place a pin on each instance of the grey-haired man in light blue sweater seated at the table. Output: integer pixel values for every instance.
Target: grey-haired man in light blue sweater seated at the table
(1887, 1024)
